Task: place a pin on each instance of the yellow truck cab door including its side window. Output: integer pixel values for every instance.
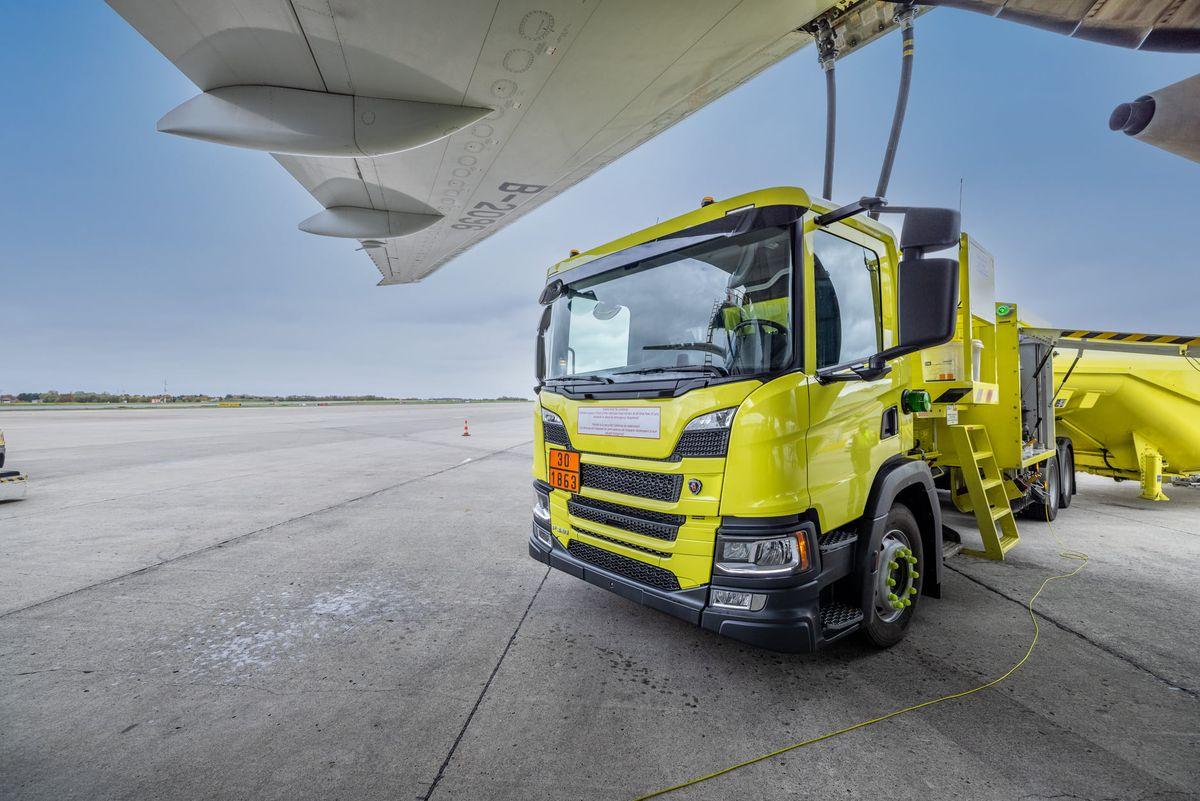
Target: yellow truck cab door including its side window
(854, 426)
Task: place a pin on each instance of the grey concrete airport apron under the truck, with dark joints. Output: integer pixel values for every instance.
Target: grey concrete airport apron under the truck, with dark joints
(337, 603)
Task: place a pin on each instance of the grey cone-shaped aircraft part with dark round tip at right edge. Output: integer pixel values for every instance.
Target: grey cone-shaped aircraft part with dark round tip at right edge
(1168, 119)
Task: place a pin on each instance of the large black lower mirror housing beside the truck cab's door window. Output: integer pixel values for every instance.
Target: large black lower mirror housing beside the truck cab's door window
(928, 305)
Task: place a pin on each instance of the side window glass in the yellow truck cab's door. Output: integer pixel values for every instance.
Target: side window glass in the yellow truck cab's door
(848, 292)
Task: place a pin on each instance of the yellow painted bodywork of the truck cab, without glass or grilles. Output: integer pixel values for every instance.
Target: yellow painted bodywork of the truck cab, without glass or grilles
(785, 433)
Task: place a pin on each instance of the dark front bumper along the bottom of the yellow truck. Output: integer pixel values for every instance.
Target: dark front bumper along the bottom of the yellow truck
(789, 621)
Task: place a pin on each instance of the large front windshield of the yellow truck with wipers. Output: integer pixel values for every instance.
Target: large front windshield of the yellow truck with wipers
(722, 308)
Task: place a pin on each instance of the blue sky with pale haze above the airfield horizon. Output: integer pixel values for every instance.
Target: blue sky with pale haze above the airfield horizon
(131, 258)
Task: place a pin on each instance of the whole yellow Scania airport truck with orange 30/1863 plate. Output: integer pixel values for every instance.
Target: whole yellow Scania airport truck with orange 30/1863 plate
(749, 417)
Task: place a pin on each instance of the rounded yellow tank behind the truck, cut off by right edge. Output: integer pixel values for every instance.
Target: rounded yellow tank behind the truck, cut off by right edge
(1131, 415)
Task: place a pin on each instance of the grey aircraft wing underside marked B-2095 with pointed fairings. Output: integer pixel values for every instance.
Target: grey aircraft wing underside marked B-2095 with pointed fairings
(495, 106)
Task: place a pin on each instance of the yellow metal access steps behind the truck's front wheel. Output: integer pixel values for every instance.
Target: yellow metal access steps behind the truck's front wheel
(986, 486)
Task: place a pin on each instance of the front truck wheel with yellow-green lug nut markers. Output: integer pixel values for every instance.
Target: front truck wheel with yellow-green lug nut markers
(899, 564)
